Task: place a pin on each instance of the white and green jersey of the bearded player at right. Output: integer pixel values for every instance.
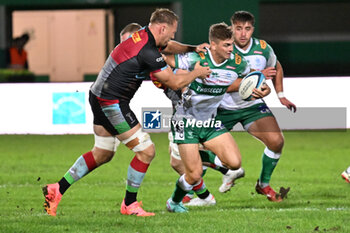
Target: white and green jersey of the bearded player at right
(259, 56)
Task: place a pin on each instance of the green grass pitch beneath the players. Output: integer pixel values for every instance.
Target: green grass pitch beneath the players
(319, 200)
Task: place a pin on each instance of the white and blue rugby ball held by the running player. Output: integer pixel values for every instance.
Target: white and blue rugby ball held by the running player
(253, 80)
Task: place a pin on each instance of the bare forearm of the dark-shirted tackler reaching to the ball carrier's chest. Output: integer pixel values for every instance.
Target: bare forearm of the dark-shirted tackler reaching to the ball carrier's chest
(177, 81)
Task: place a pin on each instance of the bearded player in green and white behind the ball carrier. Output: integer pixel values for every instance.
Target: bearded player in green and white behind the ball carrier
(254, 115)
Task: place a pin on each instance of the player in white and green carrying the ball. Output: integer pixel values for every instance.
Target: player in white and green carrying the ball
(194, 121)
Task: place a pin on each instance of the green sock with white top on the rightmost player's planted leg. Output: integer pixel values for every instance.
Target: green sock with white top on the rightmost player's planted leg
(269, 162)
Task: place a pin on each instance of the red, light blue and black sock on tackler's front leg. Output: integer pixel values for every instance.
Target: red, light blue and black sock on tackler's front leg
(136, 172)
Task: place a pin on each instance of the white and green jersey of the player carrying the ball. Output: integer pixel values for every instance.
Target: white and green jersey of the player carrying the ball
(203, 96)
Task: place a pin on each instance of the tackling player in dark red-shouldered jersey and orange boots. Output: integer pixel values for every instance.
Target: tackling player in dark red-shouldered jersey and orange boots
(127, 65)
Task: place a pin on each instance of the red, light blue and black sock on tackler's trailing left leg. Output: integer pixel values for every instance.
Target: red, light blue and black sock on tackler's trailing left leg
(82, 166)
